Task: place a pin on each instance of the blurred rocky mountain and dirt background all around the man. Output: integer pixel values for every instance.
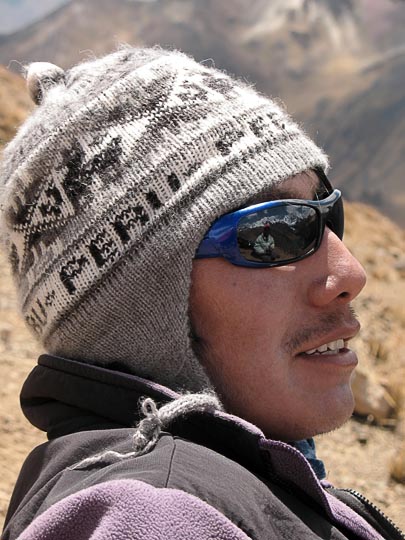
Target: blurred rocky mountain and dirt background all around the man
(339, 67)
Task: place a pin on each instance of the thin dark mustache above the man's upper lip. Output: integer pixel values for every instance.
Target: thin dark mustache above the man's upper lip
(322, 327)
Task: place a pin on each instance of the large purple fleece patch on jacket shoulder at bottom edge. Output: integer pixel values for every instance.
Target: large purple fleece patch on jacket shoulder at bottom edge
(130, 509)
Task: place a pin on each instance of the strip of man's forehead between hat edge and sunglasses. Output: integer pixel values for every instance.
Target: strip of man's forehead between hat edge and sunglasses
(305, 185)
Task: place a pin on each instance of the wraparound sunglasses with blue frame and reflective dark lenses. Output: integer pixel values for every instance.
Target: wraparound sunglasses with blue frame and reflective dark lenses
(273, 233)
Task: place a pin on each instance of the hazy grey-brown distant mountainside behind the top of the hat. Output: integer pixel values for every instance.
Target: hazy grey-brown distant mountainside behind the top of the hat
(337, 64)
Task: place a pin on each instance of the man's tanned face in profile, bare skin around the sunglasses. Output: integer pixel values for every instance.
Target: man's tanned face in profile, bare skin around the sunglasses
(256, 326)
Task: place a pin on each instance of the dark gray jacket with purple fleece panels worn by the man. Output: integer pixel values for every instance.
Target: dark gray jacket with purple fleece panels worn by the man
(212, 476)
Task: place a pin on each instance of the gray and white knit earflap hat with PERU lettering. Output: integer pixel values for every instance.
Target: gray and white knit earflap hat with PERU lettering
(108, 189)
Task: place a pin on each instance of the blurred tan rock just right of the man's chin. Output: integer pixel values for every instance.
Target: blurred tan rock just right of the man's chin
(371, 397)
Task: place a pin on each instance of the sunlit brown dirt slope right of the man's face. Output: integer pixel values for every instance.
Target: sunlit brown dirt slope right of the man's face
(360, 454)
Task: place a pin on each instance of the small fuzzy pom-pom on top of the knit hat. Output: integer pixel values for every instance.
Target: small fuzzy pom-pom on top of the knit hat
(41, 76)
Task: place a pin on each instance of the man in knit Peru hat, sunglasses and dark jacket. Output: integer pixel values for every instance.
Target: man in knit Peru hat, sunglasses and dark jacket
(125, 198)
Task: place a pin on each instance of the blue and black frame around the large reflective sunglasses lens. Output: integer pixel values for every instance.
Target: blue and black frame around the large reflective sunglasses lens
(221, 240)
